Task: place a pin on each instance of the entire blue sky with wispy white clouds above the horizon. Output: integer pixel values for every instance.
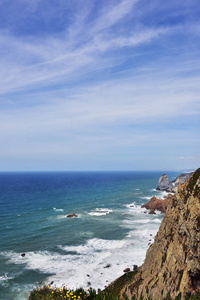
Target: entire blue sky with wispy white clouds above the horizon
(99, 85)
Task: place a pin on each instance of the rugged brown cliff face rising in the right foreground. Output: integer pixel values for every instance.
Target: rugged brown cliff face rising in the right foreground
(172, 264)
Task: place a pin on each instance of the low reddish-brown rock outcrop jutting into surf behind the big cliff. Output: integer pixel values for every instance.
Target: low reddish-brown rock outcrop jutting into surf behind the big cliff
(158, 204)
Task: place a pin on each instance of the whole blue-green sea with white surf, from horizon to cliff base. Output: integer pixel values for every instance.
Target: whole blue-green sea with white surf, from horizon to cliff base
(111, 228)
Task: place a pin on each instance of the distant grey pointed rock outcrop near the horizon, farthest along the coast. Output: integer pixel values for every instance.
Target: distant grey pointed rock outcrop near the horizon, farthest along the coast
(164, 184)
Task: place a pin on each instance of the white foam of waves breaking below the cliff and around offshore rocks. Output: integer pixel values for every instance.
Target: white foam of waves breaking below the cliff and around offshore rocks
(97, 262)
